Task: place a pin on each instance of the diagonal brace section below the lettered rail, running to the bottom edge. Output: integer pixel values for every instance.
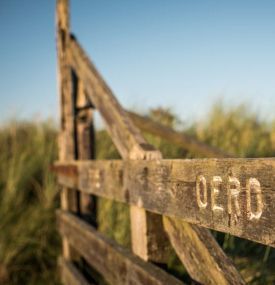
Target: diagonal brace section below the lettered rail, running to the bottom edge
(197, 255)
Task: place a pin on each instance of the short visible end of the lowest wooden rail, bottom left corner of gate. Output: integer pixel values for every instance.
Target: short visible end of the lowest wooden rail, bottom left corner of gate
(70, 275)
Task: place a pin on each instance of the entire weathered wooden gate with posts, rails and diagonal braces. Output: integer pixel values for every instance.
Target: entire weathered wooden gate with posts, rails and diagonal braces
(172, 202)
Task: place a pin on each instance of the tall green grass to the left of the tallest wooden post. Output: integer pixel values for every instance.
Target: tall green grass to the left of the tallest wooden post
(29, 243)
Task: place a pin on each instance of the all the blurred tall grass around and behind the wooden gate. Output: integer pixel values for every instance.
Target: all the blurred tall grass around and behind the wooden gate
(29, 243)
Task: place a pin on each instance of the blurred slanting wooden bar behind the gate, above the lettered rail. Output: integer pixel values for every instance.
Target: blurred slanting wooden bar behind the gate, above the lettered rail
(180, 139)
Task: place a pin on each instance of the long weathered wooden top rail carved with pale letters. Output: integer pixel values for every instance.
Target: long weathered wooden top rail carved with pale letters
(235, 196)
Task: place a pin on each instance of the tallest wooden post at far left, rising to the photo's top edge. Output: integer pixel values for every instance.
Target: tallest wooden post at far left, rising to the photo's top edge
(66, 136)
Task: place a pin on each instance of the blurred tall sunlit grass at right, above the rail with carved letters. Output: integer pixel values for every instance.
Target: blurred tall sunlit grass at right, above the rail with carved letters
(238, 130)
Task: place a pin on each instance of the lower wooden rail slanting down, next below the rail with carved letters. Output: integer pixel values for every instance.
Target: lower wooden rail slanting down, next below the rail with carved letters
(116, 264)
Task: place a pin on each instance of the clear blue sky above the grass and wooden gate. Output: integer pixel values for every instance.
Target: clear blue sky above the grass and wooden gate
(178, 53)
